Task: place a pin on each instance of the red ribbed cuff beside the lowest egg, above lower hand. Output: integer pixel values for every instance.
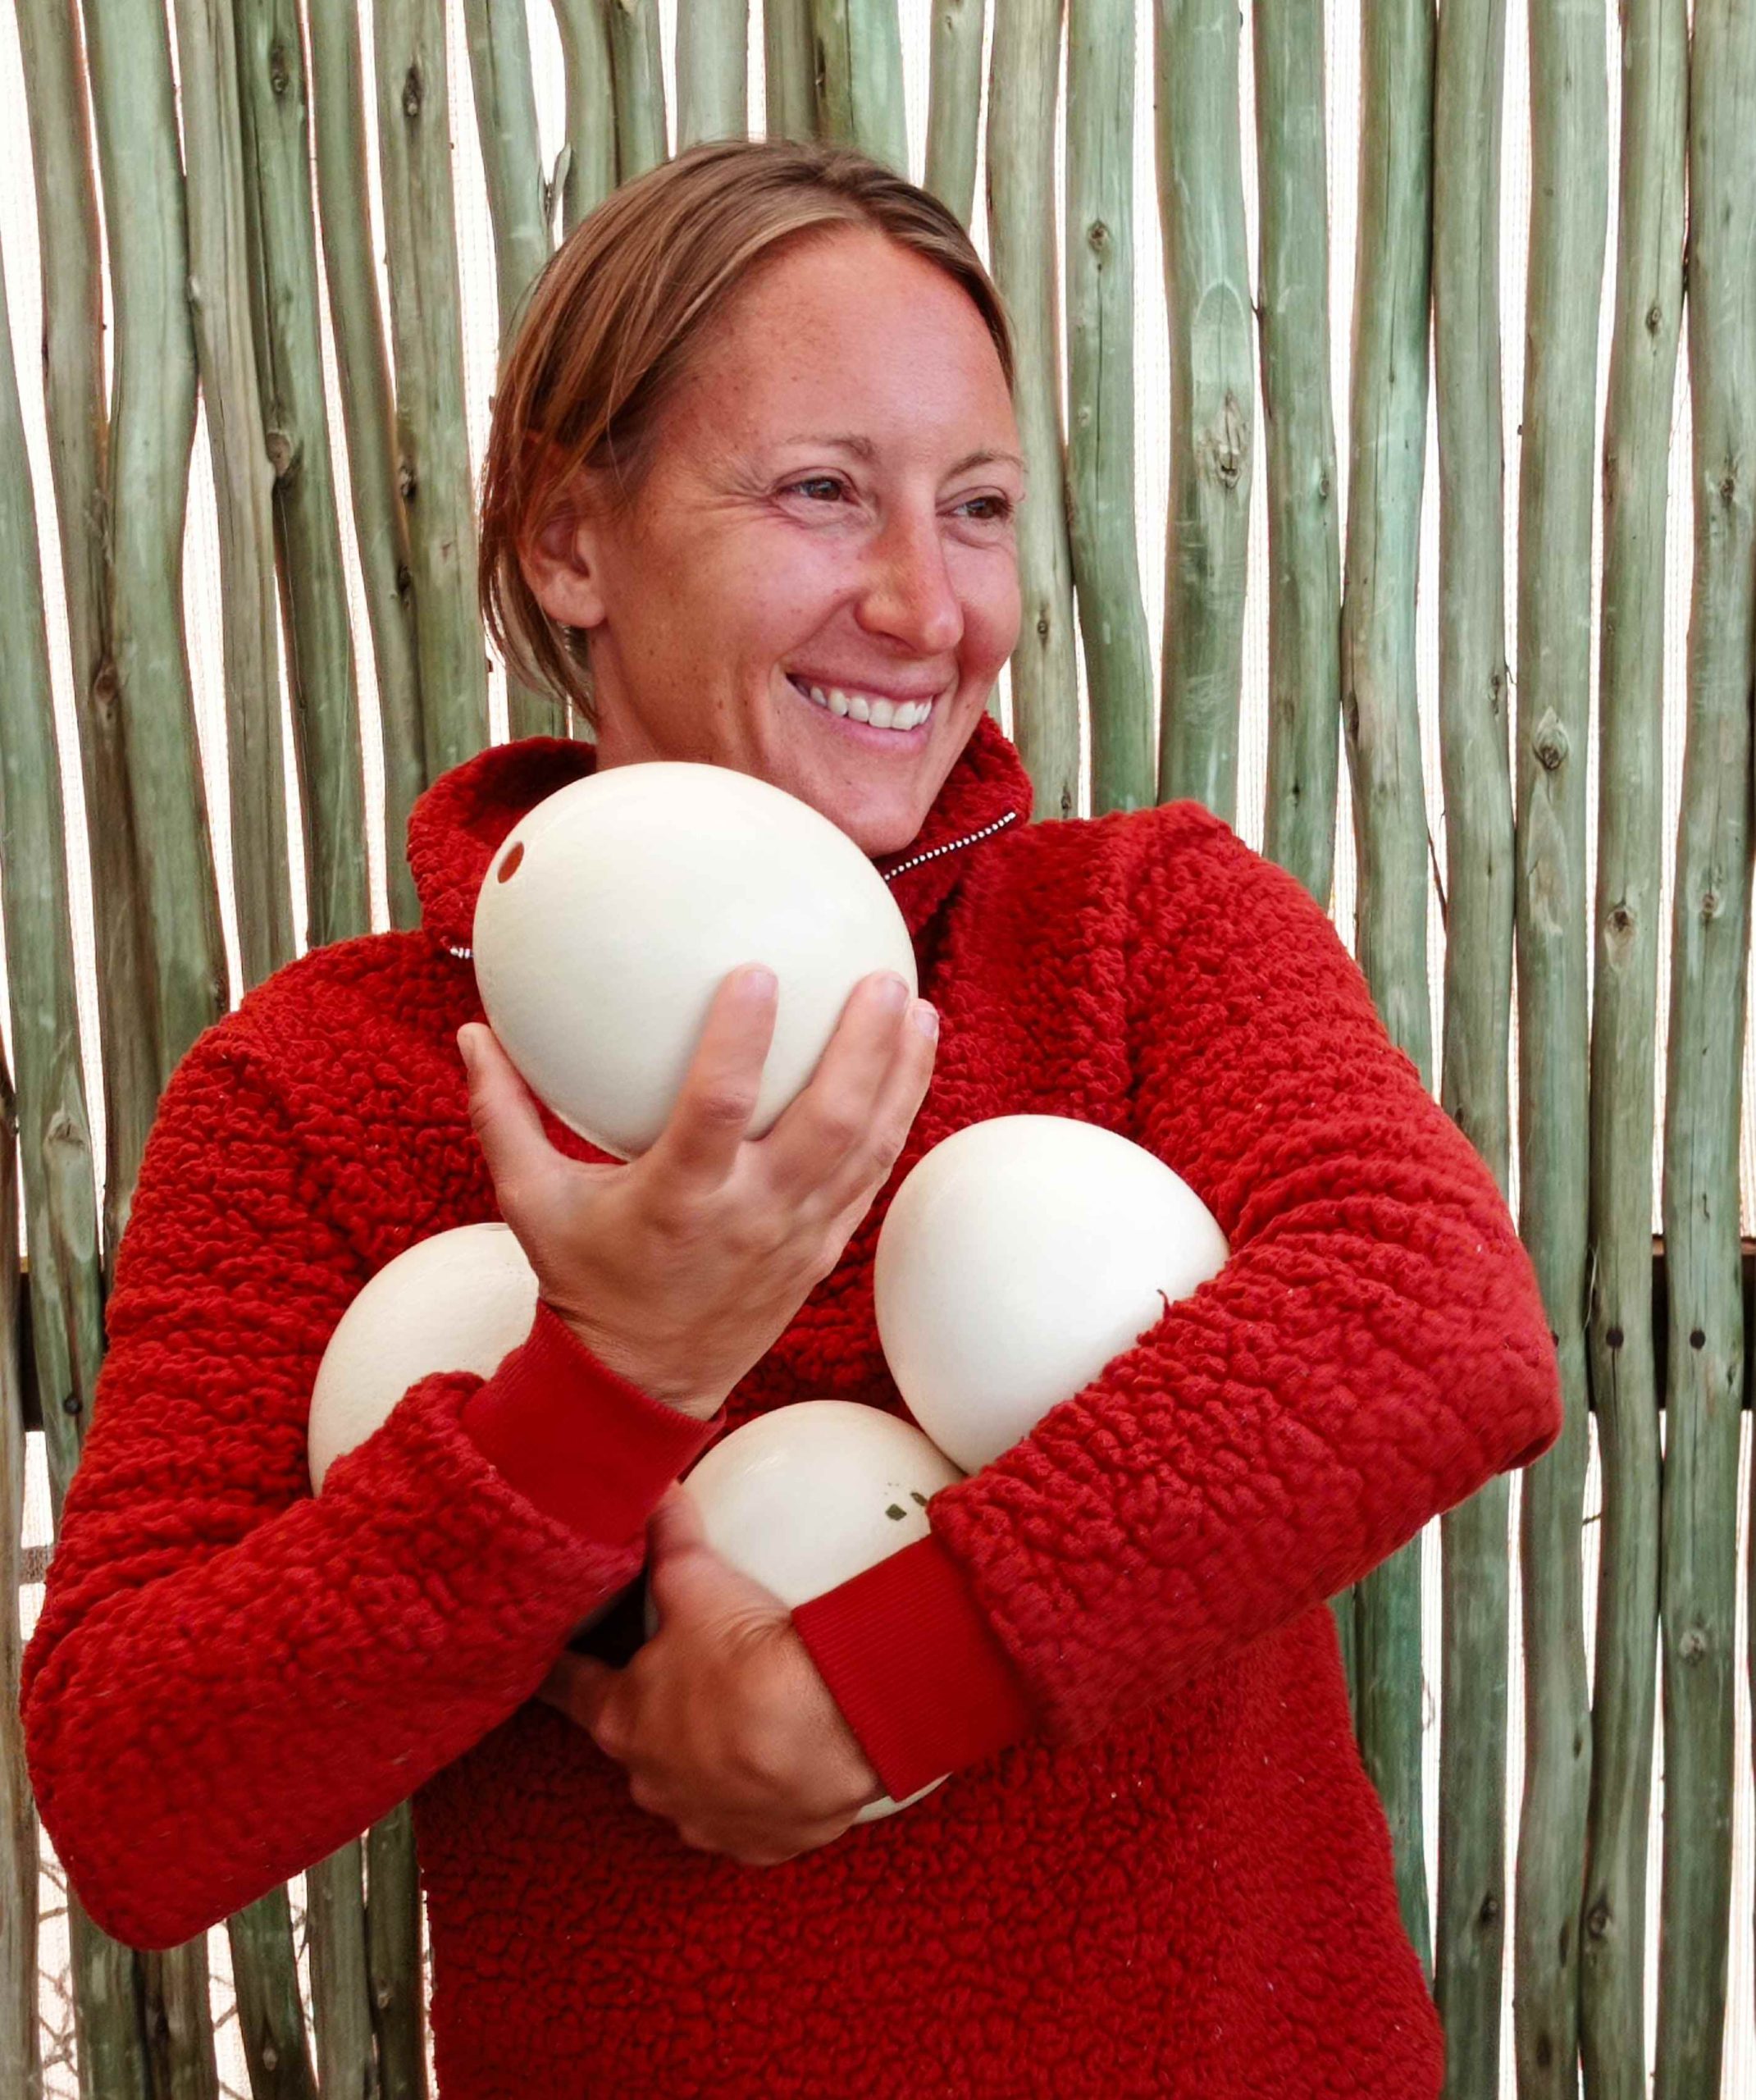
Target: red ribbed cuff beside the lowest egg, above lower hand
(915, 1668)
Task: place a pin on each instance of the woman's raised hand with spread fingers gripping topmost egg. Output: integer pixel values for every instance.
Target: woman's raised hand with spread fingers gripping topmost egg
(686, 1265)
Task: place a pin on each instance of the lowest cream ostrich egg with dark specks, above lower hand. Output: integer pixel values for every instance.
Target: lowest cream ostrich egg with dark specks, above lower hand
(812, 1494)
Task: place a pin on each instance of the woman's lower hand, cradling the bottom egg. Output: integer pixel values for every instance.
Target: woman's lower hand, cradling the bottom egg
(724, 1721)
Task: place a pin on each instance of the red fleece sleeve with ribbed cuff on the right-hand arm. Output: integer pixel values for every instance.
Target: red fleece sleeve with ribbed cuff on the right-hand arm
(1371, 1356)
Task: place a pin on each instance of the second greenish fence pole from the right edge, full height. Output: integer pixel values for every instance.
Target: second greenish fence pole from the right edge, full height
(1627, 927)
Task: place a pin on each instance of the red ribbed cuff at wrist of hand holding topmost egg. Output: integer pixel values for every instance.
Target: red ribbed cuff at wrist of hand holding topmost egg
(577, 1440)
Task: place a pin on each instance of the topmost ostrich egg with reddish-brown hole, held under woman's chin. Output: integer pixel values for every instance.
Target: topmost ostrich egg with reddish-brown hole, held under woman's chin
(619, 906)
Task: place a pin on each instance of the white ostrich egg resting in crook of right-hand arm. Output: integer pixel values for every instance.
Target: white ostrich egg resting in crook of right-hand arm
(1016, 1261)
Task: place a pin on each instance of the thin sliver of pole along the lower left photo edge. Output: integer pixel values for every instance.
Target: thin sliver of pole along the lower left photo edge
(20, 2032)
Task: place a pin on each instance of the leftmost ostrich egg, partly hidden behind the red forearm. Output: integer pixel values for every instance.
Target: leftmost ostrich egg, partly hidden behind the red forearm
(459, 1301)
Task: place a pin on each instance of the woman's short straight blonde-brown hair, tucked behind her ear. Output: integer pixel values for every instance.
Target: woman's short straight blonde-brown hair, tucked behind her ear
(612, 324)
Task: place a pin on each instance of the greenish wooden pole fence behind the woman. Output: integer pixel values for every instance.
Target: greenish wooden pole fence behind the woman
(219, 255)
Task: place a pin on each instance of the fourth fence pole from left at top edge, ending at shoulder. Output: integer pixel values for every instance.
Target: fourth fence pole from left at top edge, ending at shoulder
(297, 421)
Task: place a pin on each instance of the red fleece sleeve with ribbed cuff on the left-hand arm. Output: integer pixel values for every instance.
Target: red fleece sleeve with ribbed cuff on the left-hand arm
(232, 1677)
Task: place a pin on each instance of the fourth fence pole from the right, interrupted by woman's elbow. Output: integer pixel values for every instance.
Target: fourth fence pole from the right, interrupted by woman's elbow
(1476, 1064)
